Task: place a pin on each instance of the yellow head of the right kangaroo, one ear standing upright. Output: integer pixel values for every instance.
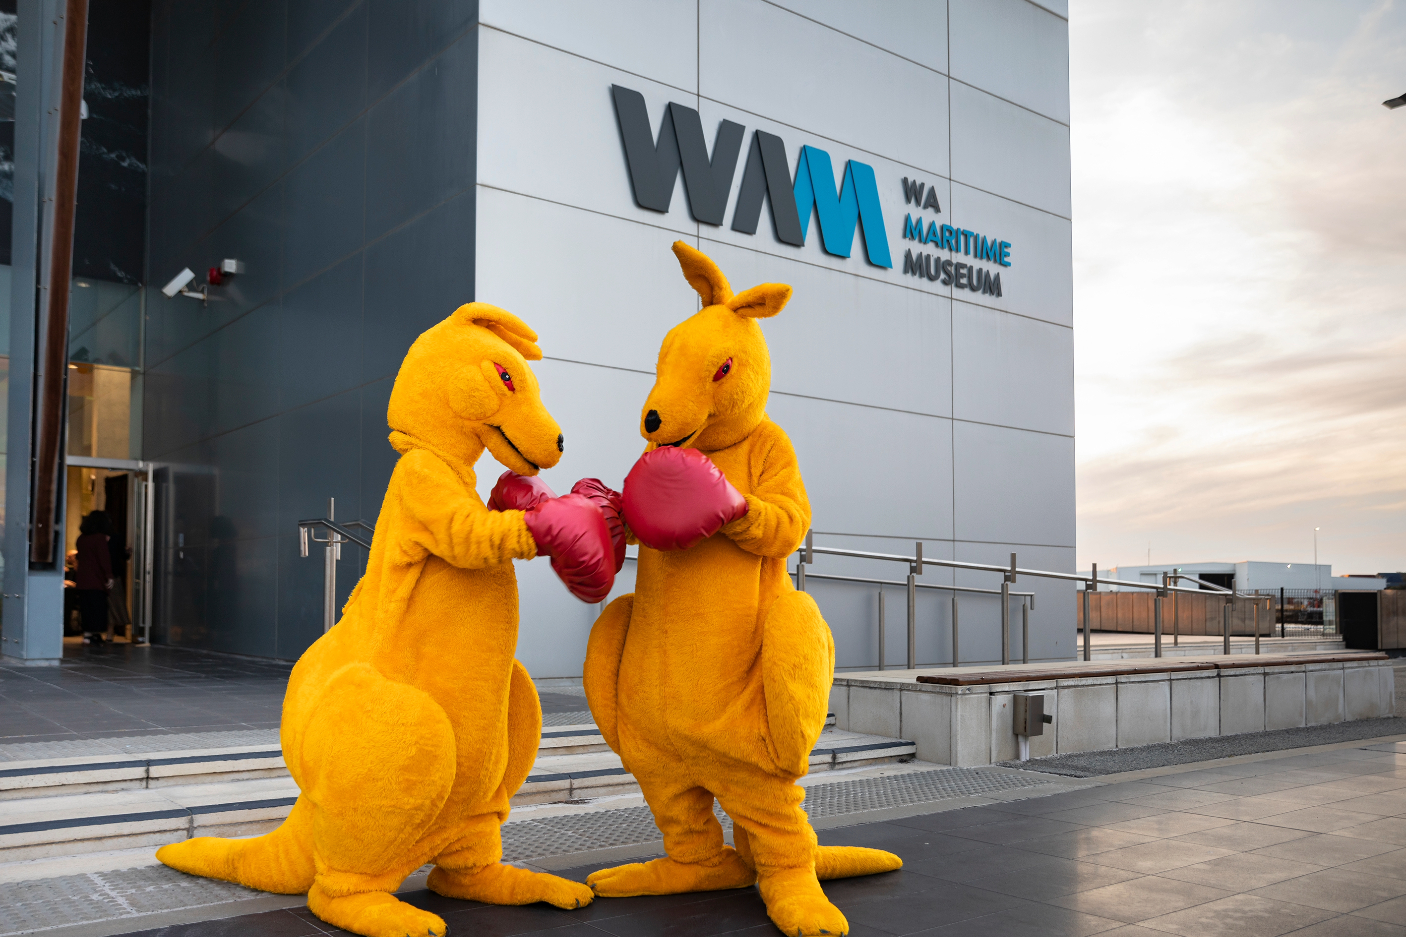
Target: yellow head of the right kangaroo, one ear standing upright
(715, 371)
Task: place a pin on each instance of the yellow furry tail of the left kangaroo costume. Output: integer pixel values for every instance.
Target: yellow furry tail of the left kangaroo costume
(279, 862)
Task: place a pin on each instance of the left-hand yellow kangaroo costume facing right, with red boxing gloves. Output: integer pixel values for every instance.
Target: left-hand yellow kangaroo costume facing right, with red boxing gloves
(410, 725)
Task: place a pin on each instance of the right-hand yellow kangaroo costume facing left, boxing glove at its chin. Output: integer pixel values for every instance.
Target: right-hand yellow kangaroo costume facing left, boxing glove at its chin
(712, 680)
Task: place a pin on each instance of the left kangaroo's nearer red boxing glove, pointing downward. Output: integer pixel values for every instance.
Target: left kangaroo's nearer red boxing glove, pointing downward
(573, 533)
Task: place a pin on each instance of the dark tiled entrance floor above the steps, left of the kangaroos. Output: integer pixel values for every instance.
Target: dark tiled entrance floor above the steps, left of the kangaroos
(123, 690)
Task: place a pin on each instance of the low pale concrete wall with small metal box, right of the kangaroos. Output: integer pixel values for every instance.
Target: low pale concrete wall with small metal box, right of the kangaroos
(972, 725)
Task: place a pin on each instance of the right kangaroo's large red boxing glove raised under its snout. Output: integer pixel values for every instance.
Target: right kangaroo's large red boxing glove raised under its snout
(677, 497)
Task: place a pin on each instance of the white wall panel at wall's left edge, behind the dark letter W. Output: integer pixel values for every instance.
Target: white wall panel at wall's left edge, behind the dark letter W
(548, 127)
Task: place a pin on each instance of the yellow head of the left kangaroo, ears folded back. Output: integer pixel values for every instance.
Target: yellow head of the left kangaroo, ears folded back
(466, 386)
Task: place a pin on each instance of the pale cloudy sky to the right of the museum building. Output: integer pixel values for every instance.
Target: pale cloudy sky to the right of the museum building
(1239, 282)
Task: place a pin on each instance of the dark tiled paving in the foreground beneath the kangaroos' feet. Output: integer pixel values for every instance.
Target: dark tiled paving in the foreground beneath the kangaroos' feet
(1308, 845)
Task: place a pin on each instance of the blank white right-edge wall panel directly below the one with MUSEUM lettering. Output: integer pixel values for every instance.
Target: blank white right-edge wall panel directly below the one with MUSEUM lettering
(1012, 371)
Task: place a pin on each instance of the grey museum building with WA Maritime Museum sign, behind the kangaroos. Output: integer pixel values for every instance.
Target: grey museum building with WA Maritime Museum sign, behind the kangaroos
(341, 177)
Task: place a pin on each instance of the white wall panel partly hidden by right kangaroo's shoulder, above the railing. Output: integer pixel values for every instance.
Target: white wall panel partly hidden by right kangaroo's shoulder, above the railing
(871, 471)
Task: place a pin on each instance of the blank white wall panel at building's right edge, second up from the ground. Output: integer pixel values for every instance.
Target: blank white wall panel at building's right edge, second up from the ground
(1013, 486)
